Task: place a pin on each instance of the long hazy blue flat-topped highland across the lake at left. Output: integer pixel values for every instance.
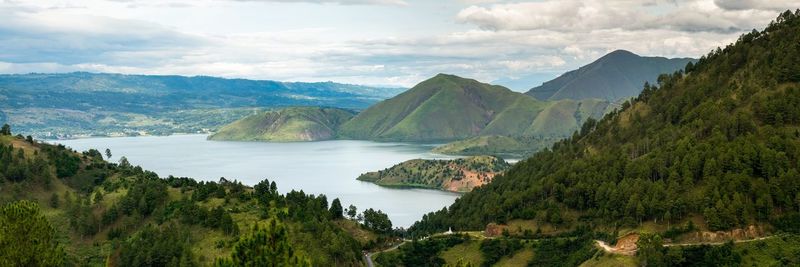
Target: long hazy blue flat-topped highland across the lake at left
(103, 104)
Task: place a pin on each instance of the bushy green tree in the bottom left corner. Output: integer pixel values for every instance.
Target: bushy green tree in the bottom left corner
(27, 238)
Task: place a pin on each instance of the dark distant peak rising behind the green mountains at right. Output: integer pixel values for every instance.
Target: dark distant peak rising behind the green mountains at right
(617, 75)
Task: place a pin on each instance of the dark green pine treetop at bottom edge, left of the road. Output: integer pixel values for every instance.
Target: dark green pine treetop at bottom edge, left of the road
(267, 246)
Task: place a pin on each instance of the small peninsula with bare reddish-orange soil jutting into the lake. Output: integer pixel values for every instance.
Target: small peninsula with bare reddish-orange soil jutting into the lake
(458, 175)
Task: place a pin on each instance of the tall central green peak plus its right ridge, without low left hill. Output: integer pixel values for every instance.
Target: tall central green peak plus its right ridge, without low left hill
(448, 107)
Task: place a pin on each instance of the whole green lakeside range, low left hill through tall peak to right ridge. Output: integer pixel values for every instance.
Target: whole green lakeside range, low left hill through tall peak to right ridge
(442, 108)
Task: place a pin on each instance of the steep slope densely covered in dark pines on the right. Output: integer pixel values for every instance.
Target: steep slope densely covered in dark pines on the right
(718, 141)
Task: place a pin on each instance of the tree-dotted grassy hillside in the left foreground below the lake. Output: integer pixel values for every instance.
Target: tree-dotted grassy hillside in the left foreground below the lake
(63, 208)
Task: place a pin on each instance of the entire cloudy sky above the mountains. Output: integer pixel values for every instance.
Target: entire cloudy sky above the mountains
(519, 44)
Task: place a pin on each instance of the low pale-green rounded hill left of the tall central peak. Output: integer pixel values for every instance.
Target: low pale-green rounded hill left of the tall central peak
(286, 125)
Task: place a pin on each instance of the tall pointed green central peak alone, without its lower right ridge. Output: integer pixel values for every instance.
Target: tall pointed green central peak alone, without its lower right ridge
(445, 107)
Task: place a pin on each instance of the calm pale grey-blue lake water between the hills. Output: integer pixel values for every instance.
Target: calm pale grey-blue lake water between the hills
(327, 167)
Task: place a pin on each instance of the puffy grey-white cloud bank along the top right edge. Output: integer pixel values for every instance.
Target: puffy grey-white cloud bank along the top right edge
(573, 15)
